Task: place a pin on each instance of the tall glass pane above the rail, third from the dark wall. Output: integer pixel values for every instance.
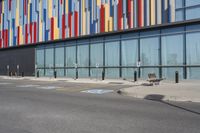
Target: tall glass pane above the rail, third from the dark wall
(59, 57)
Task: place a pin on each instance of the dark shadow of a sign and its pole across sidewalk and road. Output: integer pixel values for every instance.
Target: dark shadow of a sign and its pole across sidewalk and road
(159, 98)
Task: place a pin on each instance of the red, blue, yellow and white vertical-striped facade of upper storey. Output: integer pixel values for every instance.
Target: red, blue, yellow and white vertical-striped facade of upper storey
(31, 21)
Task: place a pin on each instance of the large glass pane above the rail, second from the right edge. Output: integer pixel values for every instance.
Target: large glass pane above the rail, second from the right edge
(172, 50)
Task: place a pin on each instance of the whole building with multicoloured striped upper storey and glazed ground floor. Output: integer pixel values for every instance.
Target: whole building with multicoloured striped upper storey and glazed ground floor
(87, 37)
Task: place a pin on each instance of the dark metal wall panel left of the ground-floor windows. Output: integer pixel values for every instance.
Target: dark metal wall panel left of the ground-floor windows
(24, 57)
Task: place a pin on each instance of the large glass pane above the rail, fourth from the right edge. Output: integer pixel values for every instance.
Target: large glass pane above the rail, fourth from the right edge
(129, 52)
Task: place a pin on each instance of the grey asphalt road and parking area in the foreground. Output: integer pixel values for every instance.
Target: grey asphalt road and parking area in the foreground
(57, 107)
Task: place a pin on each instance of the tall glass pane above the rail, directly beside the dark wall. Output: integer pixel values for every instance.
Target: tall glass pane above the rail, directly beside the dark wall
(40, 58)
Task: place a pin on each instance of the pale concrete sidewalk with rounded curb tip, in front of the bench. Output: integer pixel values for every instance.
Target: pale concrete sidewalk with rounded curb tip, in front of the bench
(187, 90)
